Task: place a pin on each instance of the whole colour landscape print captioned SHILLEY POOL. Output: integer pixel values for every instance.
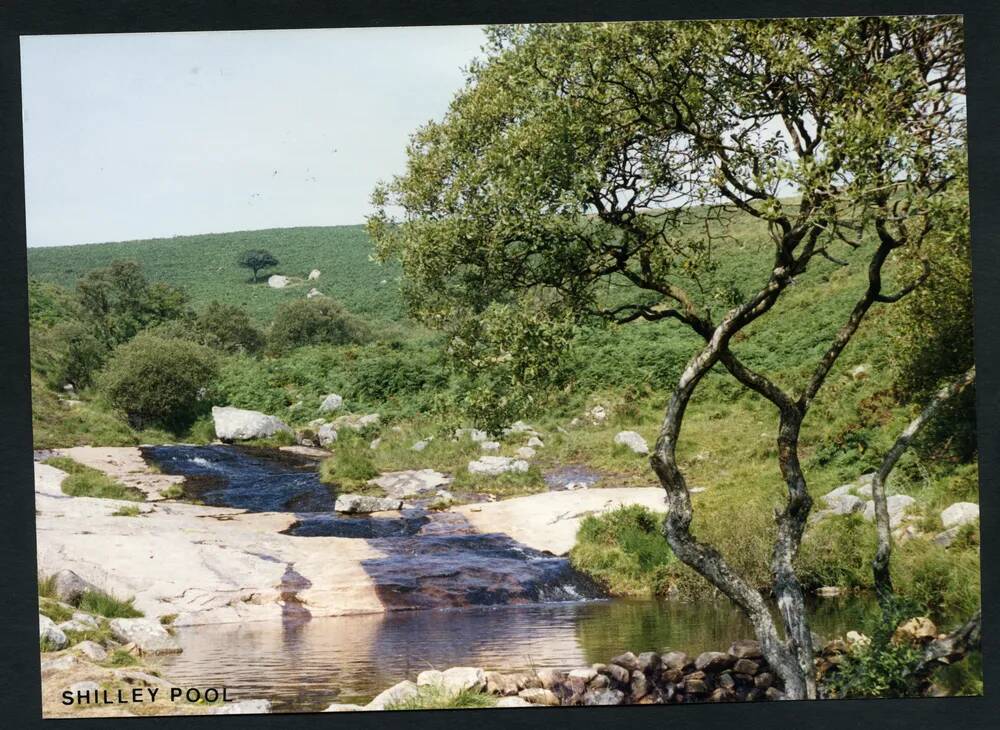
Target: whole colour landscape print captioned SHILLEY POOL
(502, 366)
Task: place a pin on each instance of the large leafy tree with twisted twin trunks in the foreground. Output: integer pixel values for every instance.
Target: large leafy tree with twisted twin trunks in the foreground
(590, 169)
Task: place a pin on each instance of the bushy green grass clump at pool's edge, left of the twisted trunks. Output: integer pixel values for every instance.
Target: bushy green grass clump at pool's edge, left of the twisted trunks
(625, 551)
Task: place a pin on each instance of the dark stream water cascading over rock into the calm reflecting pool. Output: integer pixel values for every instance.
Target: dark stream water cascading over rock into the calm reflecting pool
(491, 601)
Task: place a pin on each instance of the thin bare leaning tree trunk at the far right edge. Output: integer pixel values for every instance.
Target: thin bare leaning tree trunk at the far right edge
(883, 551)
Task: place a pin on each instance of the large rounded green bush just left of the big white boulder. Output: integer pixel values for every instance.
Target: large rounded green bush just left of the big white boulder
(160, 381)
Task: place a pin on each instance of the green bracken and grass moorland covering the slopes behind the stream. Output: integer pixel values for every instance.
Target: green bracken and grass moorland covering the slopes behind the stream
(401, 371)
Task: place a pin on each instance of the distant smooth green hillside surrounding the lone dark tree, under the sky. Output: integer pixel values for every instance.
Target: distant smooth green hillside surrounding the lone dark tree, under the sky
(205, 267)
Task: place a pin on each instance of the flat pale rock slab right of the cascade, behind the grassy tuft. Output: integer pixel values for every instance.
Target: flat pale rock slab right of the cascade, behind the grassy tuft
(549, 521)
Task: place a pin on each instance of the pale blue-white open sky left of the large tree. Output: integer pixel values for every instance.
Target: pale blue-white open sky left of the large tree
(148, 135)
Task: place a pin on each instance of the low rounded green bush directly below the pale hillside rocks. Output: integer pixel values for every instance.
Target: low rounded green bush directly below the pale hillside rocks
(315, 321)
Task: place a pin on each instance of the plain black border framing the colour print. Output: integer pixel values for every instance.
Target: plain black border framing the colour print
(19, 658)
